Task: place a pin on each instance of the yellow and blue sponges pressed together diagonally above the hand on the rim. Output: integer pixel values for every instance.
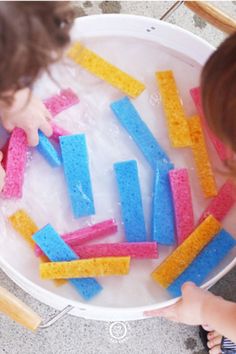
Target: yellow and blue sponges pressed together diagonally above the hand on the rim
(189, 261)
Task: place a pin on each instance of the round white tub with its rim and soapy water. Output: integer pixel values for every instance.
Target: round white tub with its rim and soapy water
(141, 46)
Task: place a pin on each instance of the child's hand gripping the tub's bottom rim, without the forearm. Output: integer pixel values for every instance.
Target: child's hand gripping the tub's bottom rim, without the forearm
(189, 309)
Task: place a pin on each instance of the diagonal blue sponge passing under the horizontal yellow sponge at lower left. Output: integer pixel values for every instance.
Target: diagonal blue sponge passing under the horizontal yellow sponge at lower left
(58, 251)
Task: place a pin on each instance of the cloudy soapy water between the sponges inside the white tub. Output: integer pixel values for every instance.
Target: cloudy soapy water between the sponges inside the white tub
(45, 195)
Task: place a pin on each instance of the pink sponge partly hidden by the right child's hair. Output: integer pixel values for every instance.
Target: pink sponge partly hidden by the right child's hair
(221, 150)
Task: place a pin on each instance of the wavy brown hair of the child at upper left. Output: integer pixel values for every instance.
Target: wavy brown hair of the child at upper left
(32, 36)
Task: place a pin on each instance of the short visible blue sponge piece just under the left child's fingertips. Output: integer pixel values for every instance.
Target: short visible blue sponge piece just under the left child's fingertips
(48, 151)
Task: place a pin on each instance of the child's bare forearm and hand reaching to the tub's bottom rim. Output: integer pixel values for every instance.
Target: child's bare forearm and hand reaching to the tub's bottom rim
(200, 307)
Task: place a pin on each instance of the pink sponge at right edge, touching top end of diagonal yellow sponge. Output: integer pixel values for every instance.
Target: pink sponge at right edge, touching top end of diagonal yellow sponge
(222, 203)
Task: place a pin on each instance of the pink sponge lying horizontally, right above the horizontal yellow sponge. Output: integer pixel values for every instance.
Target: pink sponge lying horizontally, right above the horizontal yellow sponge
(132, 249)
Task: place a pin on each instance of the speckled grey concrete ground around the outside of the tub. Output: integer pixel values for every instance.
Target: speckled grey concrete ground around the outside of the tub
(152, 336)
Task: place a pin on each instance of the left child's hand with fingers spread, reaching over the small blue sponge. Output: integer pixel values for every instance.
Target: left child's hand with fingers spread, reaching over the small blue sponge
(29, 113)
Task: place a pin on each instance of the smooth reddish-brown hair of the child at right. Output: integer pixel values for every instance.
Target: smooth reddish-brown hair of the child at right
(218, 87)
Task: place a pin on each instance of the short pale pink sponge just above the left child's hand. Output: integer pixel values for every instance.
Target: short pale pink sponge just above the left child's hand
(59, 103)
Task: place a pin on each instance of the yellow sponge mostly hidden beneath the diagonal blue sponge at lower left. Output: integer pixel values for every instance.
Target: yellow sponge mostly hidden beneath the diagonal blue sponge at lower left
(26, 227)
